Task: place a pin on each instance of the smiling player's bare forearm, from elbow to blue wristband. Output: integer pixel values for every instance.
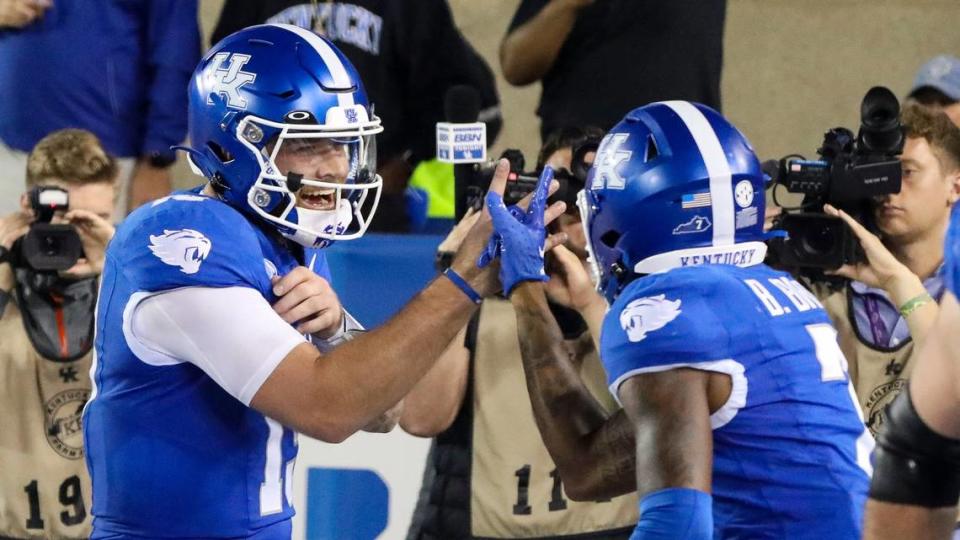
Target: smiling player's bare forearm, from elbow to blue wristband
(365, 377)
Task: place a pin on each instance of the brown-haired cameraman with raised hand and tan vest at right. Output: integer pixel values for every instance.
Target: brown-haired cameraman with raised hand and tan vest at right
(891, 301)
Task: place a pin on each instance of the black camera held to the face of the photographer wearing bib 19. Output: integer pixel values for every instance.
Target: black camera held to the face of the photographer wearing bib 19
(47, 247)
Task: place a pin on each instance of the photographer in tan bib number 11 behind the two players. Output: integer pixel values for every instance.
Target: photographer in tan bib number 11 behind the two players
(489, 473)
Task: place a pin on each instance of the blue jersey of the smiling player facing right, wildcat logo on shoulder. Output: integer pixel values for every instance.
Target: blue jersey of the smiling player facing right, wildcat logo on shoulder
(171, 454)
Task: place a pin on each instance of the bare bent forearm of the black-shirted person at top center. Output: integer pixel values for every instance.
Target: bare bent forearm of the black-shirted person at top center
(530, 50)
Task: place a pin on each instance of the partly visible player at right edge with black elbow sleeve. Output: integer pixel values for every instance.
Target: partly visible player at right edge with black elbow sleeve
(916, 484)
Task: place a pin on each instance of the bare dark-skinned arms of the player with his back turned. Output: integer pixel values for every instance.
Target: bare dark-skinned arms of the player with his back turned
(597, 454)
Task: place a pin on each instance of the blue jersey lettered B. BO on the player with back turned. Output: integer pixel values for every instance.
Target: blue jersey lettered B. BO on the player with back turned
(790, 450)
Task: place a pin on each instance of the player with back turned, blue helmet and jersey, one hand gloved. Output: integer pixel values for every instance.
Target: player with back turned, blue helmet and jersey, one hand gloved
(738, 418)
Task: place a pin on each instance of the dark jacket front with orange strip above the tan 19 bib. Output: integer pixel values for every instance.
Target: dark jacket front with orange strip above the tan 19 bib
(57, 315)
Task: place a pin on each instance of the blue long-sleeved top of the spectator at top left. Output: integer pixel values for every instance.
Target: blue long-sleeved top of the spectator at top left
(118, 68)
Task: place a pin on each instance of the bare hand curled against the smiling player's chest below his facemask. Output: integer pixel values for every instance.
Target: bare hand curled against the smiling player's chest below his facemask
(308, 302)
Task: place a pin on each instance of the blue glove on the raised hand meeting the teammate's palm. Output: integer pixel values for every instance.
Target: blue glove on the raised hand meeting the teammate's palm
(518, 237)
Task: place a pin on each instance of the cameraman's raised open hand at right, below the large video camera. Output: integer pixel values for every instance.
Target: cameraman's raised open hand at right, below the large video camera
(882, 270)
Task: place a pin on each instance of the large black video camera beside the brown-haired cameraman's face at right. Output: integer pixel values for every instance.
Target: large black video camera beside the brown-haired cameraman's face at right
(851, 172)
